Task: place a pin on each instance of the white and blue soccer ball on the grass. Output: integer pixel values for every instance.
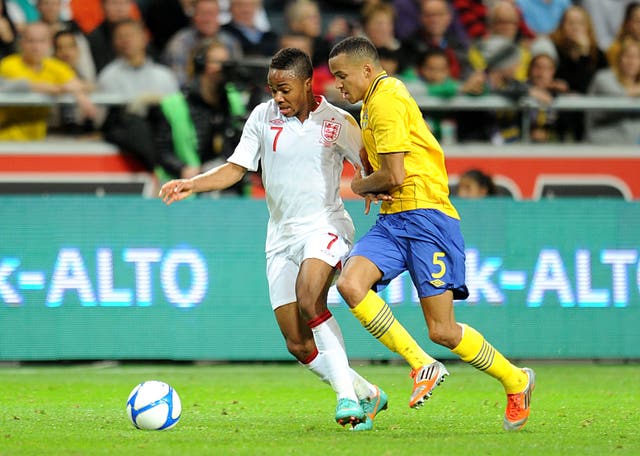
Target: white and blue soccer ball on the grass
(154, 405)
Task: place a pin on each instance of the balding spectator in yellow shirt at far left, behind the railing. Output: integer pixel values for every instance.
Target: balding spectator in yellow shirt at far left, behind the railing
(46, 75)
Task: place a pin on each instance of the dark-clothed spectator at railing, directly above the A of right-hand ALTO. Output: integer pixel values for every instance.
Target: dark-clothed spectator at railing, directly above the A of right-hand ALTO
(543, 121)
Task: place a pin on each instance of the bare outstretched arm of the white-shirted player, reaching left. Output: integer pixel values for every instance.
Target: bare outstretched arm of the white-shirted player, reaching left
(218, 178)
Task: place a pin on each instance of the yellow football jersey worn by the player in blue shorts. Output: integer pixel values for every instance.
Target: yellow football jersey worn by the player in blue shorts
(391, 121)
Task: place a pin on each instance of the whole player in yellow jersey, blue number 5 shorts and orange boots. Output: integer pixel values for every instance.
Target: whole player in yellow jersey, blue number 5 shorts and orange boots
(417, 231)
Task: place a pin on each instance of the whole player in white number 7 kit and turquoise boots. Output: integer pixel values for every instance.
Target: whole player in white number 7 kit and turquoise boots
(301, 141)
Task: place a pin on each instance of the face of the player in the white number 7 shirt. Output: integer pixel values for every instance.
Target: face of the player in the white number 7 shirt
(291, 93)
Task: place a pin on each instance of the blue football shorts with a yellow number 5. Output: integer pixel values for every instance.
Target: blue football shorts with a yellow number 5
(425, 242)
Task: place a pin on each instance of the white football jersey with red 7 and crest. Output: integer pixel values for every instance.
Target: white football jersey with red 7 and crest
(301, 168)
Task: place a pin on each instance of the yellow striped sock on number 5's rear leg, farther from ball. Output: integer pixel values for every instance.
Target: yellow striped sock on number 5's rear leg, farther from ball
(475, 350)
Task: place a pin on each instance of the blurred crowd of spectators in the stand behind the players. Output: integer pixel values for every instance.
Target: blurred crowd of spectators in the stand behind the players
(191, 70)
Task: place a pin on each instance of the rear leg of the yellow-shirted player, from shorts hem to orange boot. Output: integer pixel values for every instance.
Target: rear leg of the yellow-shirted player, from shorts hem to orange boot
(472, 348)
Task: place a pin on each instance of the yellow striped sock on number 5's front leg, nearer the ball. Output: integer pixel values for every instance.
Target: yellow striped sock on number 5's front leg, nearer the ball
(377, 318)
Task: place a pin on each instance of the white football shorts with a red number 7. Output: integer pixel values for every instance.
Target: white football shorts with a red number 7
(283, 266)
